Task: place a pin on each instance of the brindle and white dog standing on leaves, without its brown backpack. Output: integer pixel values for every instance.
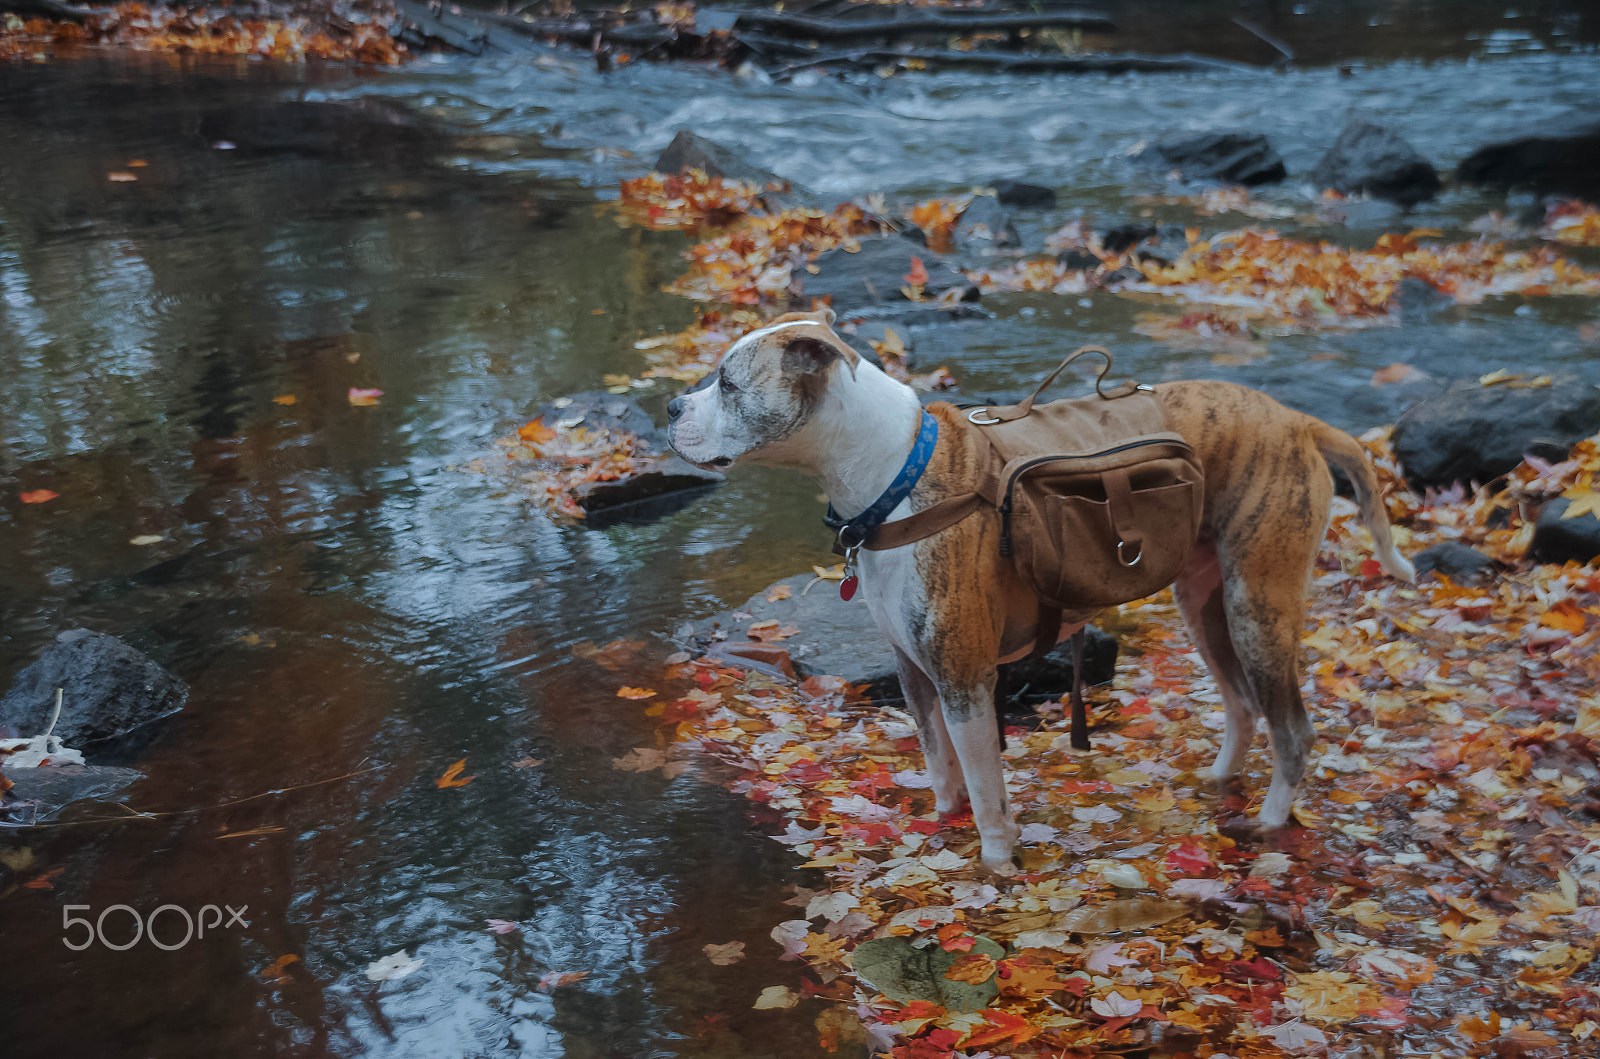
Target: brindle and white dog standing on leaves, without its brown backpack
(794, 394)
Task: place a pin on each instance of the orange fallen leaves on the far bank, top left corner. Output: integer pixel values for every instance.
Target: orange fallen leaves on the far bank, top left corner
(290, 33)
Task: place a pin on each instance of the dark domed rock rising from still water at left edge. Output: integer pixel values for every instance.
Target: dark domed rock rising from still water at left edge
(110, 690)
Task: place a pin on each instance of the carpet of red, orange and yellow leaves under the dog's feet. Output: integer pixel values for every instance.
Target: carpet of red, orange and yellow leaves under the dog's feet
(1439, 897)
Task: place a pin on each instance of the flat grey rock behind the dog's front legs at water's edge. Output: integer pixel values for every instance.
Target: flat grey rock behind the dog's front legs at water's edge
(841, 639)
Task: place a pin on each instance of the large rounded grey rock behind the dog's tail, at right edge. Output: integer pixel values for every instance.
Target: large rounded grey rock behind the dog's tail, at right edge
(1479, 433)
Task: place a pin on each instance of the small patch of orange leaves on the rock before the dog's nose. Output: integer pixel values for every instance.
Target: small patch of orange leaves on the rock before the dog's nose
(551, 463)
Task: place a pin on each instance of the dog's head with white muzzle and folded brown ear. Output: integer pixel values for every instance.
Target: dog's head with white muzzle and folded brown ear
(764, 396)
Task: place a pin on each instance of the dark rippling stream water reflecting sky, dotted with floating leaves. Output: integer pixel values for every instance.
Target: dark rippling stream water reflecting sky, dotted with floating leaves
(342, 597)
